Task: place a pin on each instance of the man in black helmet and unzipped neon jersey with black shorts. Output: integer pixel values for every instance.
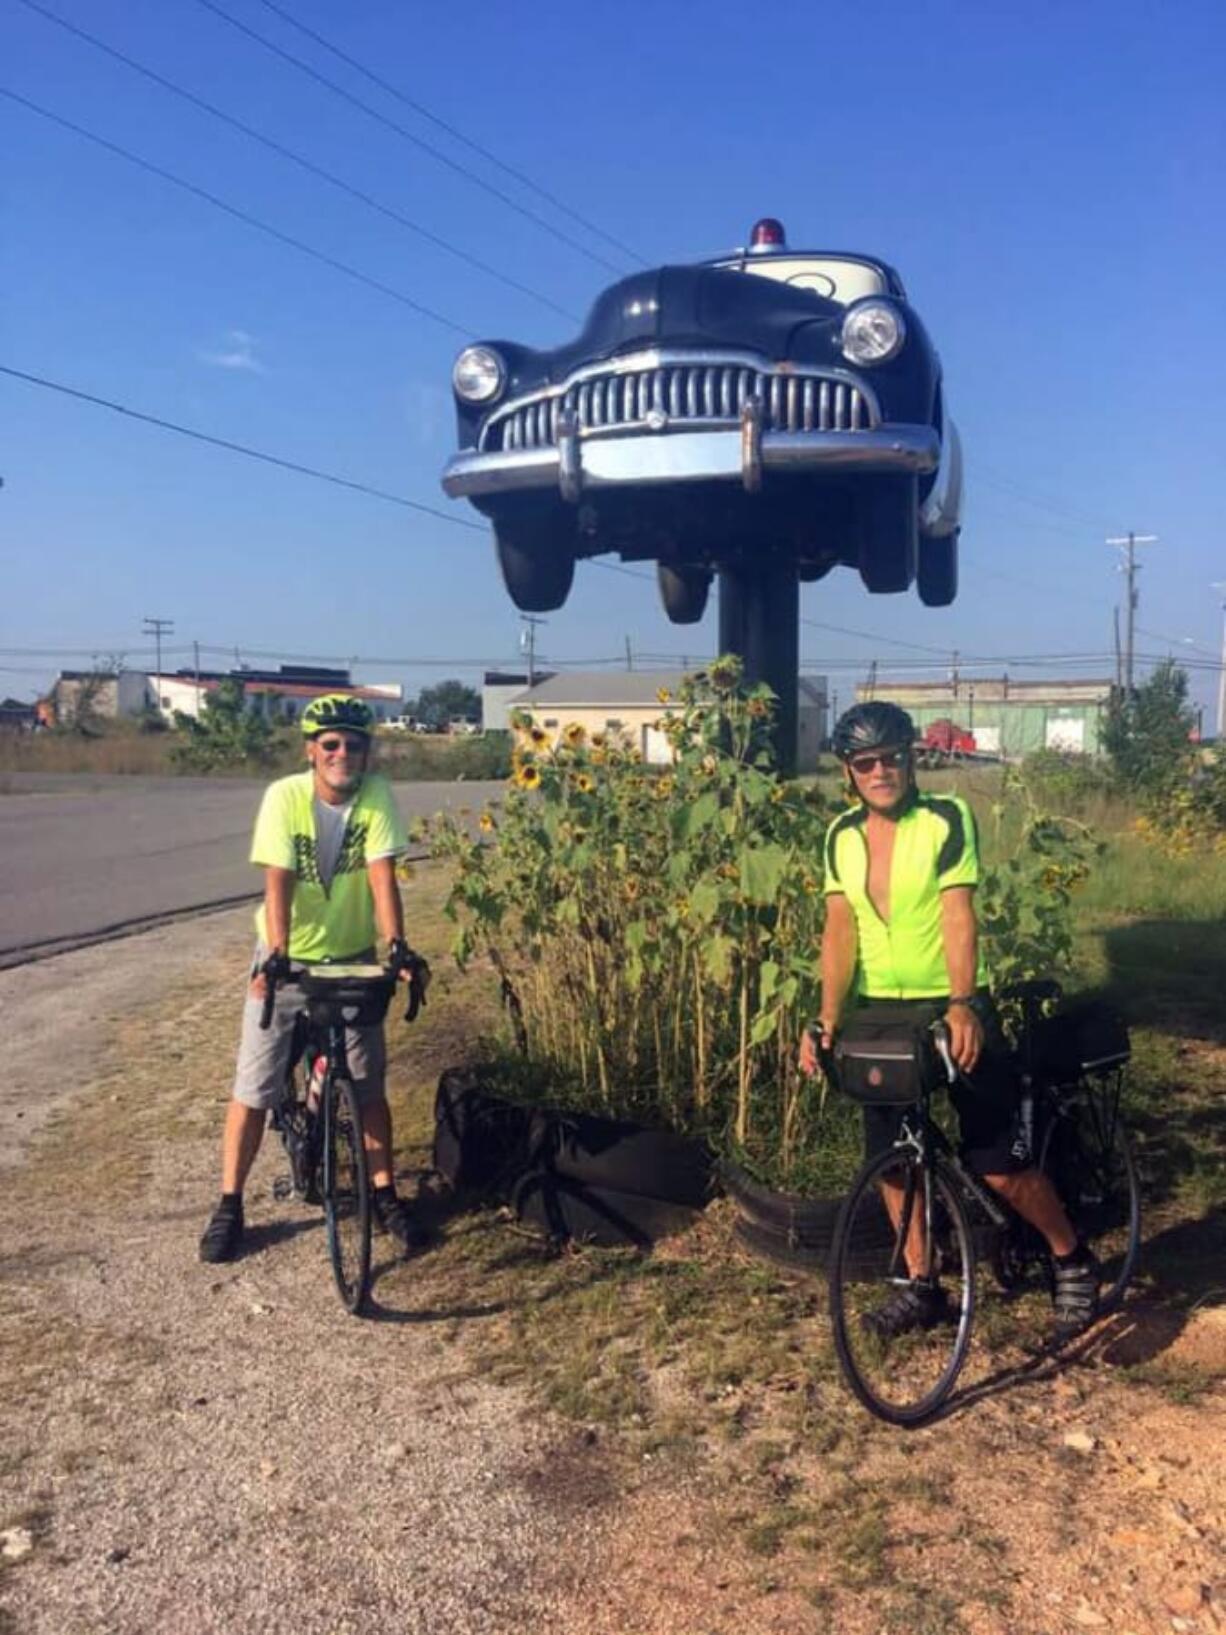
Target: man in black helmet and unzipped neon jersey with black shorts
(903, 941)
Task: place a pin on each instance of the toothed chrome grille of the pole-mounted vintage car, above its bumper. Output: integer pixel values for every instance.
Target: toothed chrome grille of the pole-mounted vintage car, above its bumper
(691, 395)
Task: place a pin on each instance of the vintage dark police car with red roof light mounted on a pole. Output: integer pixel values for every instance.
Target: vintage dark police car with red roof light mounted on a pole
(769, 403)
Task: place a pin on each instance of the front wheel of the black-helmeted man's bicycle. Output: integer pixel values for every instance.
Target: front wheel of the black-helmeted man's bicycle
(903, 1376)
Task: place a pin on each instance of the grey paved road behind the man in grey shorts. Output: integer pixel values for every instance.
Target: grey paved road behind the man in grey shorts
(81, 854)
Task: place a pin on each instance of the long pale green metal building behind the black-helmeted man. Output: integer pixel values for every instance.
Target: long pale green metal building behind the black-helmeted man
(1008, 719)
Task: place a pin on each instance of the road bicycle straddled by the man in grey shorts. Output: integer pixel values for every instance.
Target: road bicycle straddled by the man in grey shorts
(320, 1118)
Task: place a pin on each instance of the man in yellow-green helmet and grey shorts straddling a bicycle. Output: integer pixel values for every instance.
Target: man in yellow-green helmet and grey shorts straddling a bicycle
(328, 843)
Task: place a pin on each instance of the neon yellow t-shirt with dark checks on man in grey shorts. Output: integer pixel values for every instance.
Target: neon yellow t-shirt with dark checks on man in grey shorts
(336, 923)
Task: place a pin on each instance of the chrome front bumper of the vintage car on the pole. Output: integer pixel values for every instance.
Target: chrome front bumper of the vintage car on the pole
(735, 455)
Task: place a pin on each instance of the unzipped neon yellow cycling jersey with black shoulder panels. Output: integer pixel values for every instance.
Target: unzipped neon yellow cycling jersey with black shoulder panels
(936, 848)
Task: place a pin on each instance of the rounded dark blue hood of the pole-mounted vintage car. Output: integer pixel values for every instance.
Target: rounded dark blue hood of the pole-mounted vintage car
(684, 307)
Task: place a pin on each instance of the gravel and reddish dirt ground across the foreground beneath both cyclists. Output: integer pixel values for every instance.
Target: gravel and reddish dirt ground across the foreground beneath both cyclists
(189, 1449)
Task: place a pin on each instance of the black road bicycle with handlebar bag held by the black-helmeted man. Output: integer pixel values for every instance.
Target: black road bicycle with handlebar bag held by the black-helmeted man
(918, 1206)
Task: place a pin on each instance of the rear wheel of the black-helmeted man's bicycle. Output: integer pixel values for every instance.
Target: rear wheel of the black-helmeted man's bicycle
(1091, 1162)
